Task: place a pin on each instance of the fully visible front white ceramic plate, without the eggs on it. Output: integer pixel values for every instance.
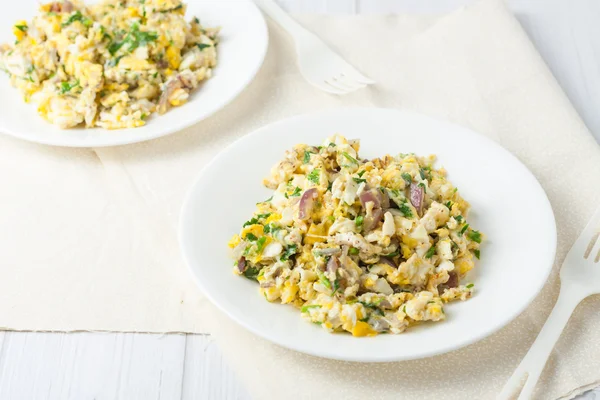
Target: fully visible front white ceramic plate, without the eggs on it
(508, 205)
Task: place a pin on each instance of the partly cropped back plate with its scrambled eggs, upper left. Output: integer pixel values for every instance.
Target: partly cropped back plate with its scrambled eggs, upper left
(108, 72)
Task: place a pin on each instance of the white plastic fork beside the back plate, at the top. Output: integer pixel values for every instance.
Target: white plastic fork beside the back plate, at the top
(319, 65)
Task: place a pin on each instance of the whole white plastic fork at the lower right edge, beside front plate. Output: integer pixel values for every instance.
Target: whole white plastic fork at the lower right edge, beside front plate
(580, 278)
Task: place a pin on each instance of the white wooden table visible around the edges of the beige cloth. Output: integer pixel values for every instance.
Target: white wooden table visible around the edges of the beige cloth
(141, 366)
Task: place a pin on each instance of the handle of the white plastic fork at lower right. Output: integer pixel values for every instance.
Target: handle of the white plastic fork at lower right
(534, 361)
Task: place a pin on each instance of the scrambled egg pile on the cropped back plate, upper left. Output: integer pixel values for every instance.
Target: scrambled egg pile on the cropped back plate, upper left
(110, 64)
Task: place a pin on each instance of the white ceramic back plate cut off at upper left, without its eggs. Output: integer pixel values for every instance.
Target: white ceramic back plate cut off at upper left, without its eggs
(241, 51)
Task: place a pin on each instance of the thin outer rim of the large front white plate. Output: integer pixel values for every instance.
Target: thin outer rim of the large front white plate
(532, 295)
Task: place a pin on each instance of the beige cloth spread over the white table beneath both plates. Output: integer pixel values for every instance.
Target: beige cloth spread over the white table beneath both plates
(88, 237)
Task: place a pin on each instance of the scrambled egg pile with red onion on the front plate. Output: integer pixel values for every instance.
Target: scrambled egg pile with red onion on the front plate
(361, 246)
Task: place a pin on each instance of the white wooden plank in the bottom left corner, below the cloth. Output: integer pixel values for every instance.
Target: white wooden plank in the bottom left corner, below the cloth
(91, 365)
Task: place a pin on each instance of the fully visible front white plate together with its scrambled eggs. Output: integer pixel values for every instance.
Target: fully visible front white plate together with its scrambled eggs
(368, 235)
